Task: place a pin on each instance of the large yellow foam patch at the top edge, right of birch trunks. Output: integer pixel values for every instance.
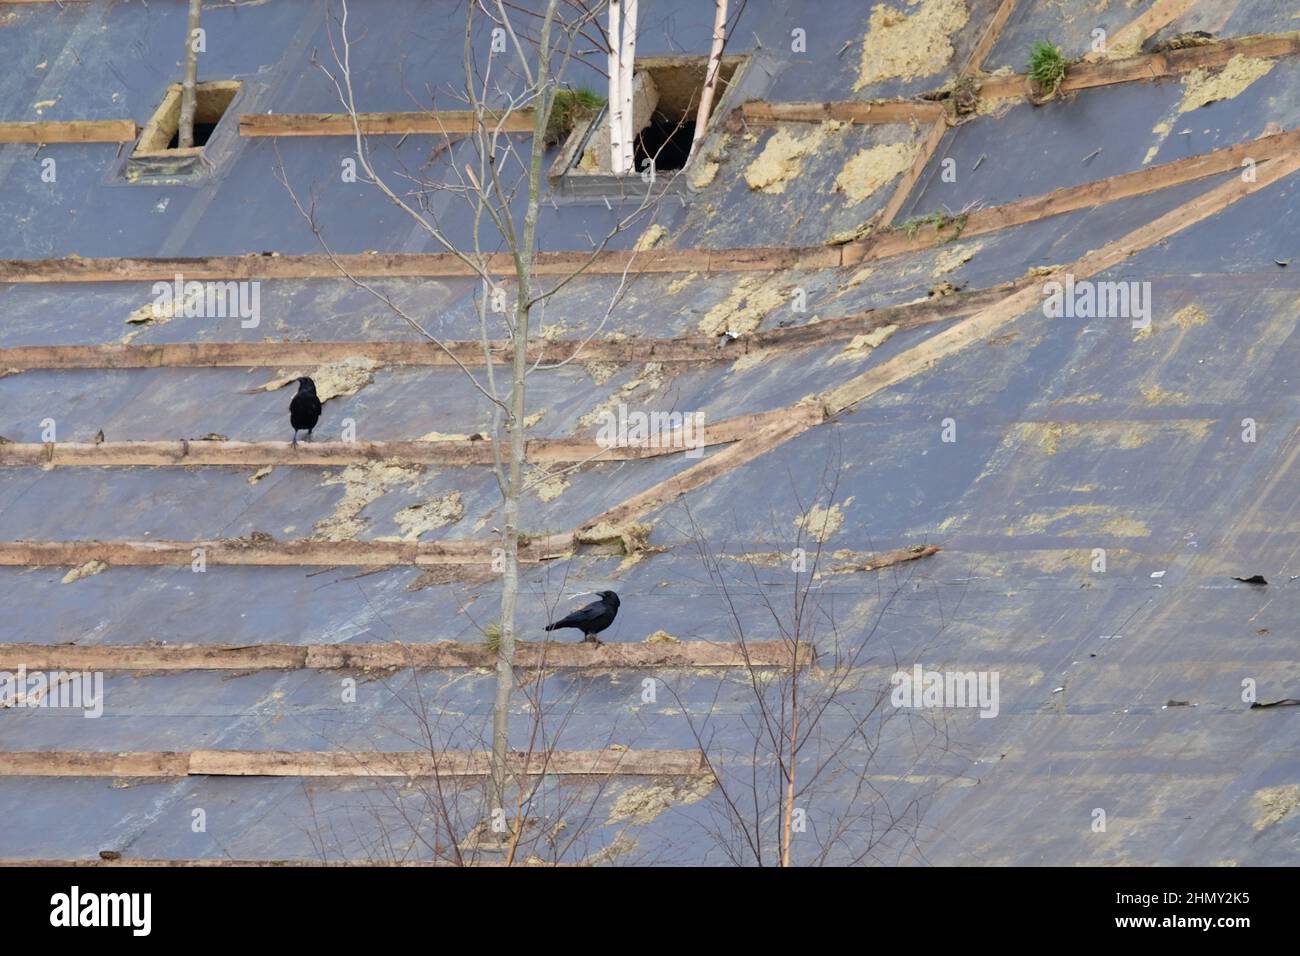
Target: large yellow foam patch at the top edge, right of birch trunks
(908, 47)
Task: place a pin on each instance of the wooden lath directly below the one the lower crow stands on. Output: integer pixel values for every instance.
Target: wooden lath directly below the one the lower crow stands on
(401, 764)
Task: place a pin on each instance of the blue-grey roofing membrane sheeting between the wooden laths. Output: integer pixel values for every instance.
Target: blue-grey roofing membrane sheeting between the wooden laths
(1175, 451)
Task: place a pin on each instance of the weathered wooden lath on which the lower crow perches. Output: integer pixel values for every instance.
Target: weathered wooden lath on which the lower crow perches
(439, 656)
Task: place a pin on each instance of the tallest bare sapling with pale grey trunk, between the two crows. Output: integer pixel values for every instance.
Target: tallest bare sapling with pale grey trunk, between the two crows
(499, 175)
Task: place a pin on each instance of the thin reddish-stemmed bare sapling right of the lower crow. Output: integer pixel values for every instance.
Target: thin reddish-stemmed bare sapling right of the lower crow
(820, 717)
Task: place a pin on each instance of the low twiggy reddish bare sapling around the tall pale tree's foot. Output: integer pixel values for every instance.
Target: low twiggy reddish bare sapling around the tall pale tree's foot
(439, 816)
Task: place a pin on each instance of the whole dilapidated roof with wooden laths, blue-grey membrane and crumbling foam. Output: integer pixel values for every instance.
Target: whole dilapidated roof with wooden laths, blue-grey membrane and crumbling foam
(917, 397)
